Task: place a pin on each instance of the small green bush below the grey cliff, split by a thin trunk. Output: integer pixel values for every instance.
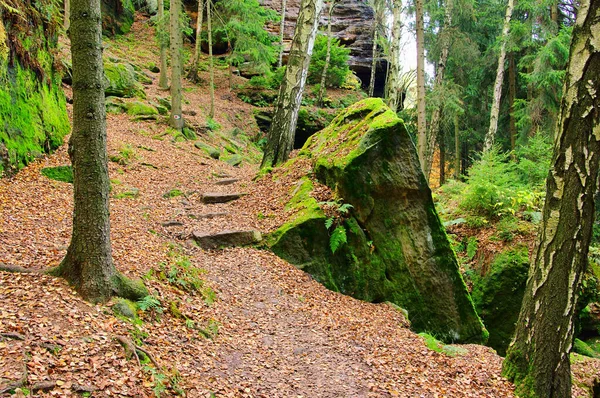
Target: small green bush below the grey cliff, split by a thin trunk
(338, 64)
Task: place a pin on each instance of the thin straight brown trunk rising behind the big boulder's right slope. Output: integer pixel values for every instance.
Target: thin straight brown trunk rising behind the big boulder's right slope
(421, 116)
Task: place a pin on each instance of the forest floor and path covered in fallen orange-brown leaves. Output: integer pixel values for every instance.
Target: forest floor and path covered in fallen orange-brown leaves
(259, 327)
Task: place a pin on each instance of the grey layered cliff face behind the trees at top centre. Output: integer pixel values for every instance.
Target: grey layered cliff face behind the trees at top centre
(352, 23)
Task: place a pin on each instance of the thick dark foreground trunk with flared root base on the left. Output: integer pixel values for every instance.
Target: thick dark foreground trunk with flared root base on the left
(88, 265)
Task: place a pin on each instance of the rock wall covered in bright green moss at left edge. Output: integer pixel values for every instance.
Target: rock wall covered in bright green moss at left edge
(33, 114)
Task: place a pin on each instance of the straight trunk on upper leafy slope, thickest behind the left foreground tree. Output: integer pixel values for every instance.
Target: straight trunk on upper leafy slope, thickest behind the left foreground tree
(176, 119)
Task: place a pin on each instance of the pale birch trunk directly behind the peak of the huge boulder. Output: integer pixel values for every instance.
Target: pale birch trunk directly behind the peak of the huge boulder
(393, 77)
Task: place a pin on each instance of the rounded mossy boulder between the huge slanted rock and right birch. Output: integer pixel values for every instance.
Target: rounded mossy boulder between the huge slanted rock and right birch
(498, 295)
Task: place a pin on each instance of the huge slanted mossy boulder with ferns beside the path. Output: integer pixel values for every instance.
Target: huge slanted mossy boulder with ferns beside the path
(396, 248)
